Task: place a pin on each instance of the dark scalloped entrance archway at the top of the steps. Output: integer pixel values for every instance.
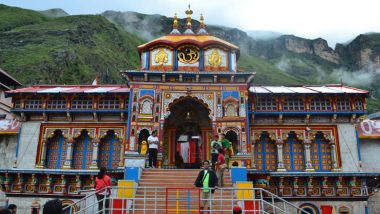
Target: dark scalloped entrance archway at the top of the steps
(187, 132)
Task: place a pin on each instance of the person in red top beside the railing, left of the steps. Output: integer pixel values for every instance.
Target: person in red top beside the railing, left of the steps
(103, 192)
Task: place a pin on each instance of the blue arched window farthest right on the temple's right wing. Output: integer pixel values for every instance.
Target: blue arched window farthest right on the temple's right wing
(321, 153)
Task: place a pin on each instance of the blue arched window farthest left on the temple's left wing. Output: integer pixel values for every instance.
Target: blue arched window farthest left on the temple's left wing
(56, 151)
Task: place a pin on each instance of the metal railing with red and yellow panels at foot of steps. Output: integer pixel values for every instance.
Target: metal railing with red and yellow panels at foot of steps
(134, 200)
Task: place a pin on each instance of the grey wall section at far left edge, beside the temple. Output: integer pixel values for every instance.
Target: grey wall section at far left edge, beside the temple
(8, 144)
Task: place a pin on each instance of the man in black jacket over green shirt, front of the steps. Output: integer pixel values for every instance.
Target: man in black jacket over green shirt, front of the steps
(207, 180)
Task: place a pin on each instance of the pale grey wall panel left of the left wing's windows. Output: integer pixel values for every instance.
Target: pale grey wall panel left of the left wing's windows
(27, 152)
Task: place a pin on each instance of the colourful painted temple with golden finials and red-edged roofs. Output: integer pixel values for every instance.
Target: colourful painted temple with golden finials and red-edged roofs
(299, 142)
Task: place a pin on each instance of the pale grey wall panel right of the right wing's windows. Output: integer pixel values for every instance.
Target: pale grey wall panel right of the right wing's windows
(348, 148)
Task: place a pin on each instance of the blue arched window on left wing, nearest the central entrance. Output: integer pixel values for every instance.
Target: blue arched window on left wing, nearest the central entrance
(109, 151)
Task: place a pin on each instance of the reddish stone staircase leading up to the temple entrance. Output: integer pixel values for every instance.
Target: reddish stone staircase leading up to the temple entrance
(178, 186)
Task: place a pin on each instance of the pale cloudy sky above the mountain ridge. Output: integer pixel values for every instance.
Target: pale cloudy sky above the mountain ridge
(337, 21)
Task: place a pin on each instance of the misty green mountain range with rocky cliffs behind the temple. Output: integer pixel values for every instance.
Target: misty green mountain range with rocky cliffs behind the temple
(53, 47)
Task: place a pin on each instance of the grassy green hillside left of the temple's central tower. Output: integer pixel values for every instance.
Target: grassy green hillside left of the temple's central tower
(68, 50)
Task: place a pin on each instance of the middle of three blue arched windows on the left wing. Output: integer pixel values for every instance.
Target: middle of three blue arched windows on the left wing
(82, 154)
